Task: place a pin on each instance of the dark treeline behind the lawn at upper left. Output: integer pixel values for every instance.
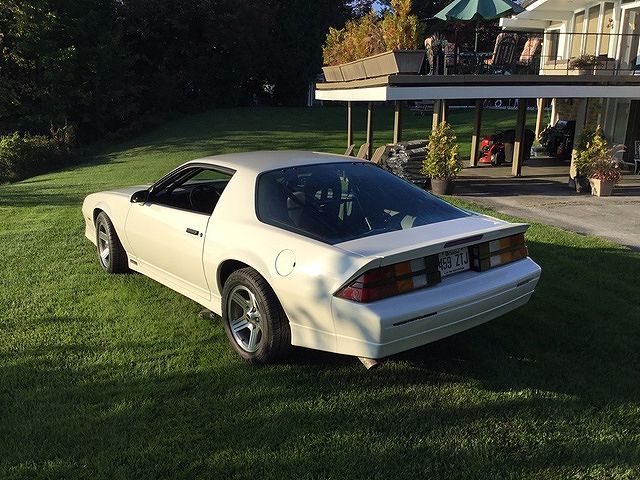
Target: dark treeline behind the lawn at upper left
(105, 66)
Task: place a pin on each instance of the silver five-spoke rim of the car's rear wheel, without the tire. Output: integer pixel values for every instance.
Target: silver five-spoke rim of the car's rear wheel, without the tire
(244, 318)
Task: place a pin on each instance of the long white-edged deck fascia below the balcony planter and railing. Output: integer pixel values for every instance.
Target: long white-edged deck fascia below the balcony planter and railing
(421, 87)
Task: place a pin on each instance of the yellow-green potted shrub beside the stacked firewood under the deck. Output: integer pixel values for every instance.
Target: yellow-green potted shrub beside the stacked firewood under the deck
(441, 163)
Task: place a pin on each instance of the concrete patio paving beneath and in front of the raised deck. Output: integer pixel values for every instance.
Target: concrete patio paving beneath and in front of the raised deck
(541, 194)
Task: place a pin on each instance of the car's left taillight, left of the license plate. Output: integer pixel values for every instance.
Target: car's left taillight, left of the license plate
(392, 280)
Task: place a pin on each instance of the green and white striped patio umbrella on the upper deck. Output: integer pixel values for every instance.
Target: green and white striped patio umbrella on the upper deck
(466, 10)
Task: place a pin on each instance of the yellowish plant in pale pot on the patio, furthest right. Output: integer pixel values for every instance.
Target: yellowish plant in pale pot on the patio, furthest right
(597, 161)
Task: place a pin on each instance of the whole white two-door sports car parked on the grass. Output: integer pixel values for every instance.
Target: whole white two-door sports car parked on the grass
(316, 250)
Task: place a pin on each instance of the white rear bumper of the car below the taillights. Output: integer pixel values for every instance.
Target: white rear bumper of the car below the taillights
(460, 302)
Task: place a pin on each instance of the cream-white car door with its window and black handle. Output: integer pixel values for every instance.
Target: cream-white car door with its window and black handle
(167, 232)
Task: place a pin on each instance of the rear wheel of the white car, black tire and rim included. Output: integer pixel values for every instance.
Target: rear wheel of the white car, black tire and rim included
(260, 315)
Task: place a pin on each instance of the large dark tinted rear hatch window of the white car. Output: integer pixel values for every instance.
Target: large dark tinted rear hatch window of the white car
(338, 202)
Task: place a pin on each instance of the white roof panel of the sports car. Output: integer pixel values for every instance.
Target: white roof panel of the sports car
(263, 161)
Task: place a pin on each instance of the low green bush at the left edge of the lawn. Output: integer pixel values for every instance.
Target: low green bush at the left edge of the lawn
(25, 155)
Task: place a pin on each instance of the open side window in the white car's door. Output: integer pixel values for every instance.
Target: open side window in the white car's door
(196, 189)
